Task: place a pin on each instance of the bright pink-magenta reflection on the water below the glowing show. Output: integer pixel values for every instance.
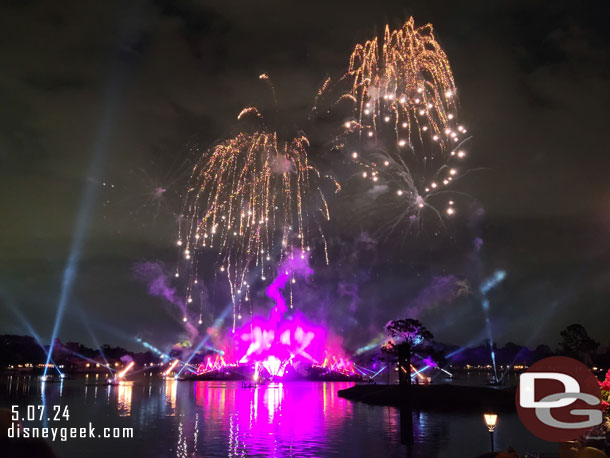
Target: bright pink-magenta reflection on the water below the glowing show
(257, 419)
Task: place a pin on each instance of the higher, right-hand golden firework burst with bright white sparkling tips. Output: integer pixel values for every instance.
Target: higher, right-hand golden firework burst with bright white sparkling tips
(402, 130)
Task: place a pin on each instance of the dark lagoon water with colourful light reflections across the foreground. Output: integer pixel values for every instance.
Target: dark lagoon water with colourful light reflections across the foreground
(222, 419)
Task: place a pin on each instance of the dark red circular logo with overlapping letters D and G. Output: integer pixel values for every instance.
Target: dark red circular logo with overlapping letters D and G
(559, 399)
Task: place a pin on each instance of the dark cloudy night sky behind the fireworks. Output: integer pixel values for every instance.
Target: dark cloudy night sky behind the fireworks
(110, 100)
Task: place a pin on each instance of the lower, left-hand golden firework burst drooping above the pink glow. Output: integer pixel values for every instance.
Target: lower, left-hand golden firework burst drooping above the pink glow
(251, 198)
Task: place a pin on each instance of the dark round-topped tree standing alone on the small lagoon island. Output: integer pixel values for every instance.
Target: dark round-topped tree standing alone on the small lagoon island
(407, 336)
